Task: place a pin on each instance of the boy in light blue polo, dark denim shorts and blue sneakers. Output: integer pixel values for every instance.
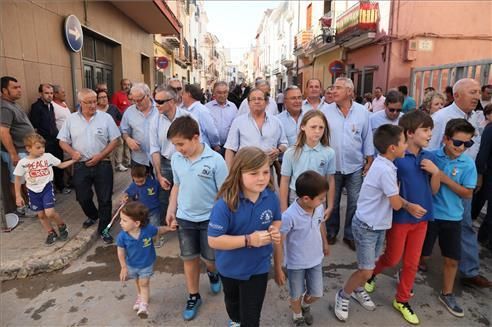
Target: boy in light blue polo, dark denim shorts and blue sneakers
(198, 174)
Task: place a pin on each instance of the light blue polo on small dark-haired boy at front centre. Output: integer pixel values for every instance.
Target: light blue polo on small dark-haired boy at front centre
(303, 246)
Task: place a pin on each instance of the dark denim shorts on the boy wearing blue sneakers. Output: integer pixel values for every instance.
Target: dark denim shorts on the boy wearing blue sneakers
(193, 240)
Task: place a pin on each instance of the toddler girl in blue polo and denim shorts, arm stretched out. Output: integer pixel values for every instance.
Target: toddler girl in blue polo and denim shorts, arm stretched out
(136, 251)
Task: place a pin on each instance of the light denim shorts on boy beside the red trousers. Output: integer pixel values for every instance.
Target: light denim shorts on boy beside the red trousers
(368, 244)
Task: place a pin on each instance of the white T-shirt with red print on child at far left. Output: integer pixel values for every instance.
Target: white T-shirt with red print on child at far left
(37, 172)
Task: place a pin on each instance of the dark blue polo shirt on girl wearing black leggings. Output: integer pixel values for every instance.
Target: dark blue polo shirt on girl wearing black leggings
(249, 217)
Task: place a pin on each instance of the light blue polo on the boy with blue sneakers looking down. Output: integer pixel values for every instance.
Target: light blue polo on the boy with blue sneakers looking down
(199, 182)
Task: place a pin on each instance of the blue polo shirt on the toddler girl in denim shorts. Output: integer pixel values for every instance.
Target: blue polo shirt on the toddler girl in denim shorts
(140, 253)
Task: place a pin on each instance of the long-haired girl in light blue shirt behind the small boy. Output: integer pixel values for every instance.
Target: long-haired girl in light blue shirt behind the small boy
(312, 151)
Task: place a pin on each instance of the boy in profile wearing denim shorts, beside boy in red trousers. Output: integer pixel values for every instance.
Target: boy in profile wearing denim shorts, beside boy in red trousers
(379, 196)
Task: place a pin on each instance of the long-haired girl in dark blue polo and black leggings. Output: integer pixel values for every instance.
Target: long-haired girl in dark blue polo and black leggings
(244, 223)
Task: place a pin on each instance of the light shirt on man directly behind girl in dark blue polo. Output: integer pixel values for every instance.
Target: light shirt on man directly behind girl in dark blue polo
(245, 132)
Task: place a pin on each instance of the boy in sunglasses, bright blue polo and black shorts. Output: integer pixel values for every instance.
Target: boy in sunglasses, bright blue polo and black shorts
(458, 179)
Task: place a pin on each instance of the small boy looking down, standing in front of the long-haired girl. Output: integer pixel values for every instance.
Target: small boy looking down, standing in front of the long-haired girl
(305, 244)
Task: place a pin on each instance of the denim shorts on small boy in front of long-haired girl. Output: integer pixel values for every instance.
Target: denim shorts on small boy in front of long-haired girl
(310, 279)
